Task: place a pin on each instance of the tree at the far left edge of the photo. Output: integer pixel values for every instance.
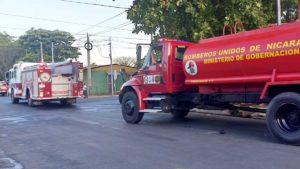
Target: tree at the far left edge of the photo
(10, 51)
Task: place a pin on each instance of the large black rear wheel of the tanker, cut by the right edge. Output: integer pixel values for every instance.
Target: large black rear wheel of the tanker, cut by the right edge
(283, 117)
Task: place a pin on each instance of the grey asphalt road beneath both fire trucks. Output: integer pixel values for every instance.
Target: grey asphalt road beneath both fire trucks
(93, 135)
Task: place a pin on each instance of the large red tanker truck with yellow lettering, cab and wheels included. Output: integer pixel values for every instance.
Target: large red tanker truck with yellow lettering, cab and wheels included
(258, 66)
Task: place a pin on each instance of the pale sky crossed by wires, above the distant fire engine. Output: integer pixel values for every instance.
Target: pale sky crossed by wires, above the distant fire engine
(17, 16)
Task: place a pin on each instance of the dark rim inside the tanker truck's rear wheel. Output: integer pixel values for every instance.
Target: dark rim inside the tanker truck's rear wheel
(288, 118)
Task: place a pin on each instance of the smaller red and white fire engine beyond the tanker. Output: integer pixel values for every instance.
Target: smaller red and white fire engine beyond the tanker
(41, 82)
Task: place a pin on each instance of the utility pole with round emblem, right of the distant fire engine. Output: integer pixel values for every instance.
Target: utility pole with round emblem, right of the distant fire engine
(88, 46)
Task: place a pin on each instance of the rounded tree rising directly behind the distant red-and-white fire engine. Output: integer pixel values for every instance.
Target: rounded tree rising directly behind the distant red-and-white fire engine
(62, 45)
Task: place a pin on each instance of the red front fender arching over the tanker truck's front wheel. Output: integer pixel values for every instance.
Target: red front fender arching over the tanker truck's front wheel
(134, 84)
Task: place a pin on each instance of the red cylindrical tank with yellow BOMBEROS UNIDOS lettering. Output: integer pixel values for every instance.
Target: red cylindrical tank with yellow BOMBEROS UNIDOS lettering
(251, 57)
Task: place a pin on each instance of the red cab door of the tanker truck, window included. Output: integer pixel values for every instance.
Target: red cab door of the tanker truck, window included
(153, 74)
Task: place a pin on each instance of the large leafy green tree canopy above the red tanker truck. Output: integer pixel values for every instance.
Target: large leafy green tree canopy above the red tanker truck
(196, 19)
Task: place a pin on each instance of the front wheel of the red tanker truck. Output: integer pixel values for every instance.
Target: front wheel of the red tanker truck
(130, 108)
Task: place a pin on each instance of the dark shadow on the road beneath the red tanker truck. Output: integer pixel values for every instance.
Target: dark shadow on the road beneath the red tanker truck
(243, 128)
